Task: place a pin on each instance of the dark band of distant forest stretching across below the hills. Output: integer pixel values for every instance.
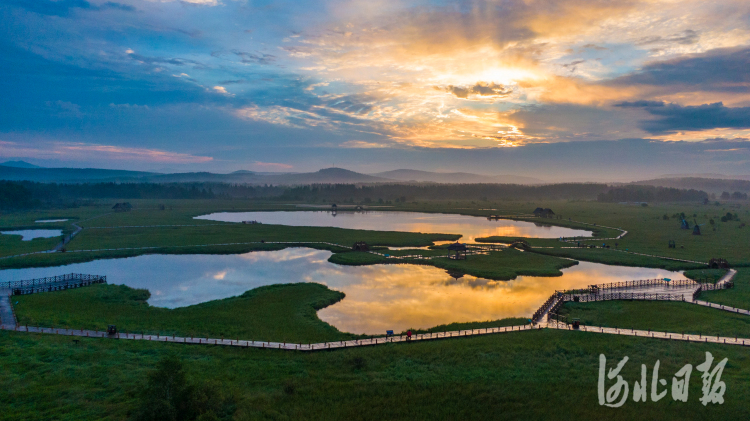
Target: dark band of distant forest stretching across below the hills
(28, 194)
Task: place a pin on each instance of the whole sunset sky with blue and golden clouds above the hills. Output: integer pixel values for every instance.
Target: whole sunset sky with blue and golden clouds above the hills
(600, 90)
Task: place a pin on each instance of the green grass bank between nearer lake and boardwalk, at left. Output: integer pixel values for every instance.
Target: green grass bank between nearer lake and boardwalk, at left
(285, 312)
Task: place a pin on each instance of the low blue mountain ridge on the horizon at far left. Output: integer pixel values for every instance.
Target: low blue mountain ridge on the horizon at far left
(69, 175)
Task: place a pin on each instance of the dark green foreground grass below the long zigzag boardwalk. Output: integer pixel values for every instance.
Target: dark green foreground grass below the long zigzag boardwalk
(525, 375)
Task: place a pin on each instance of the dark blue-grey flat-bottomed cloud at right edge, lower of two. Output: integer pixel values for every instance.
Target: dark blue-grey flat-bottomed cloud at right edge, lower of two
(672, 117)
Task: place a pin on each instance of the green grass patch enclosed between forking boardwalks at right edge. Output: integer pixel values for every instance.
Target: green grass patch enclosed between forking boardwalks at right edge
(660, 316)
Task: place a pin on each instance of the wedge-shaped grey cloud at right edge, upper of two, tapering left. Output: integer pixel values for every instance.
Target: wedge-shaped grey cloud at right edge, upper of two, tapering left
(723, 69)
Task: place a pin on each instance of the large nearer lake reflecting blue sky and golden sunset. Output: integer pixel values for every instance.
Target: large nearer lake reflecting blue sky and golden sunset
(378, 298)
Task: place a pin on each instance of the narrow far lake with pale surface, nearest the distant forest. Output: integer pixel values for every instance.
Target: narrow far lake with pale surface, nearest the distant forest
(470, 227)
